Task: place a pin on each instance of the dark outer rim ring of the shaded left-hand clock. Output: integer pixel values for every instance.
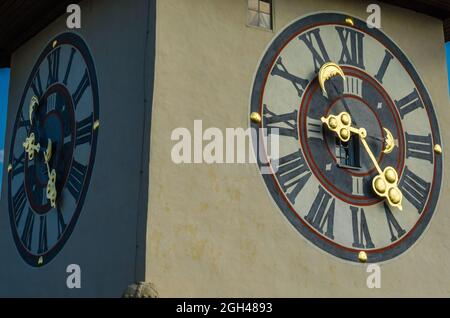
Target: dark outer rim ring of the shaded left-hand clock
(72, 39)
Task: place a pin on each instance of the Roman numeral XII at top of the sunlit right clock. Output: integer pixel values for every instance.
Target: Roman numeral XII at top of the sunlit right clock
(352, 47)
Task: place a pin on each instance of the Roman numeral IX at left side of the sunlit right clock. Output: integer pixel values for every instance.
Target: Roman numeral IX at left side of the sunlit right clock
(285, 123)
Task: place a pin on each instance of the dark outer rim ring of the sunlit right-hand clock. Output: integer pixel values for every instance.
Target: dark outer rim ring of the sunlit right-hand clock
(265, 66)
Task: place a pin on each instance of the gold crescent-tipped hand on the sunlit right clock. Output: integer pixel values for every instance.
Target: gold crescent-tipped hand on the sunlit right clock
(328, 71)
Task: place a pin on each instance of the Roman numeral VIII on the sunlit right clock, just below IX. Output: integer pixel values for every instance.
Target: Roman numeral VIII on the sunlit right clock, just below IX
(292, 174)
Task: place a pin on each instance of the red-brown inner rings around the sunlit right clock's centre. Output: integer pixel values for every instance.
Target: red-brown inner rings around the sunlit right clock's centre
(312, 88)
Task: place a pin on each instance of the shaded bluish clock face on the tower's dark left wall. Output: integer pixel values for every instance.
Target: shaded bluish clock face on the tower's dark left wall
(53, 148)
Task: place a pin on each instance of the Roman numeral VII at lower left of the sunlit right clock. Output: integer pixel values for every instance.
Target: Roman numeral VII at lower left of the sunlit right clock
(321, 213)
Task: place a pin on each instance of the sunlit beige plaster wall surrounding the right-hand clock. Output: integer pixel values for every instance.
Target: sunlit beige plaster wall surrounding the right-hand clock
(214, 230)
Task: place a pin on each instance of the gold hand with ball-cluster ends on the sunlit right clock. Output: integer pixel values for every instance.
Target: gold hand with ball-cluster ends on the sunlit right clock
(385, 185)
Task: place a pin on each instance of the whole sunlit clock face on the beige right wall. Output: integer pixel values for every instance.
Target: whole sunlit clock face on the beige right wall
(327, 187)
